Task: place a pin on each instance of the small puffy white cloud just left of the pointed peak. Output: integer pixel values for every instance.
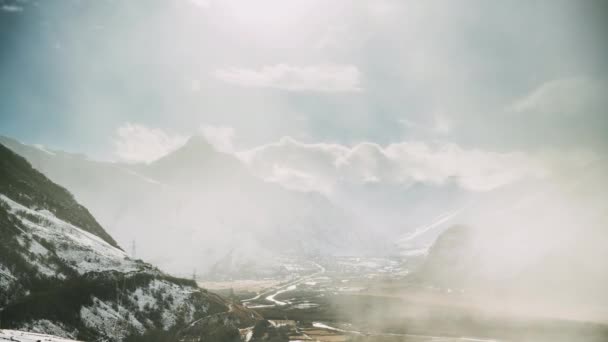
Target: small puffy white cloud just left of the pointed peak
(138, 143)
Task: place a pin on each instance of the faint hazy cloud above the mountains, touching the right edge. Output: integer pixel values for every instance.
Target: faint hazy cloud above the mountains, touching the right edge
(569, 97)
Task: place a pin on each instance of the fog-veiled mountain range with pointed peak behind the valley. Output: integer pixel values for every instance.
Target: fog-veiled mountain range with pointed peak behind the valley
(195, 206)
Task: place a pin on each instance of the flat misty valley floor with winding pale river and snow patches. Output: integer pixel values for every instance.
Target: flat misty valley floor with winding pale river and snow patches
(368, 299)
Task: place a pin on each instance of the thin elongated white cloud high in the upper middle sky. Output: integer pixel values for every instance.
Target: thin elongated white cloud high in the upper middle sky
(317, 78)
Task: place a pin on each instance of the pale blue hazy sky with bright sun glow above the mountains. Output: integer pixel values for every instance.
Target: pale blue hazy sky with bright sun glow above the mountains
(470, 82)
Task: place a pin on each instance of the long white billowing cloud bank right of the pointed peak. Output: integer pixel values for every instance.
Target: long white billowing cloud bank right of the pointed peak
(319, 167)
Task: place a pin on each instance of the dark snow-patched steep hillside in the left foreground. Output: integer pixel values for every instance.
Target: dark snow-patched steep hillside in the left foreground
(61, 273)
